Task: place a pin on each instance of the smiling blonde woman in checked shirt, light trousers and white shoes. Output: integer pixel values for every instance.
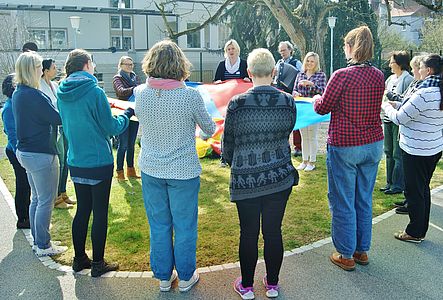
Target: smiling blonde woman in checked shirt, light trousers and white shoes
(308, 83)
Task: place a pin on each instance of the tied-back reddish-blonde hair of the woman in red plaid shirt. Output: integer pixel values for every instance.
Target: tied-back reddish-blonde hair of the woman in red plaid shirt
(362, 44)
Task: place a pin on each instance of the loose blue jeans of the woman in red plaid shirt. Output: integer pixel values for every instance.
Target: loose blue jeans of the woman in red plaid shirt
(351, 177)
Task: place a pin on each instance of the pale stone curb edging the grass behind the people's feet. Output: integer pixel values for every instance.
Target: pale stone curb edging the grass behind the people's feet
(51, 264)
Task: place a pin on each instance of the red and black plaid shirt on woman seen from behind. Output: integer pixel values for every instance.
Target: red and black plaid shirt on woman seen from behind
(353, 96)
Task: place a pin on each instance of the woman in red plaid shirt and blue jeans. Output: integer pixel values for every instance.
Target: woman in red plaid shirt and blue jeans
(355, 144)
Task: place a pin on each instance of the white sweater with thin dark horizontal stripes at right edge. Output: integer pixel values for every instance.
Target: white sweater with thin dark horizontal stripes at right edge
(421, 122)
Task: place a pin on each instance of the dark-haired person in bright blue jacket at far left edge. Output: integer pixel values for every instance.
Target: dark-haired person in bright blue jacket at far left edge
(22, 189)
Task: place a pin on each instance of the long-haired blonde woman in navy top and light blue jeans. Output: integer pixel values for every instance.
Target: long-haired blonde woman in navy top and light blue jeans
(36, 122)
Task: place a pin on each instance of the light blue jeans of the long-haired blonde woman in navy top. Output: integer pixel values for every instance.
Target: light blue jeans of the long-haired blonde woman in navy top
(43, 172)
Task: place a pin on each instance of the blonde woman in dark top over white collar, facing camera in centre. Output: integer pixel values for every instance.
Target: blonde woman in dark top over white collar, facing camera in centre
(232, 67)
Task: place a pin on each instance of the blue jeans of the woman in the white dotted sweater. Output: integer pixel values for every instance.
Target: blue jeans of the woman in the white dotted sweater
(172, 208)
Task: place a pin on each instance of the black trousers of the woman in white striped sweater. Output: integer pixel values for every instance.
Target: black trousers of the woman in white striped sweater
(418, 172)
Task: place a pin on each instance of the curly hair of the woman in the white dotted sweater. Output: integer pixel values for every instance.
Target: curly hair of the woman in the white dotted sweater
(166, 60)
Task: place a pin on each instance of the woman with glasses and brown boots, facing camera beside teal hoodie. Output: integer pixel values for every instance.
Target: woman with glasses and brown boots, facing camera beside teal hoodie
(124, 83)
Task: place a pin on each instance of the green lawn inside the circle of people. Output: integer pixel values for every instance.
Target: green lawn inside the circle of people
(306, 220)
